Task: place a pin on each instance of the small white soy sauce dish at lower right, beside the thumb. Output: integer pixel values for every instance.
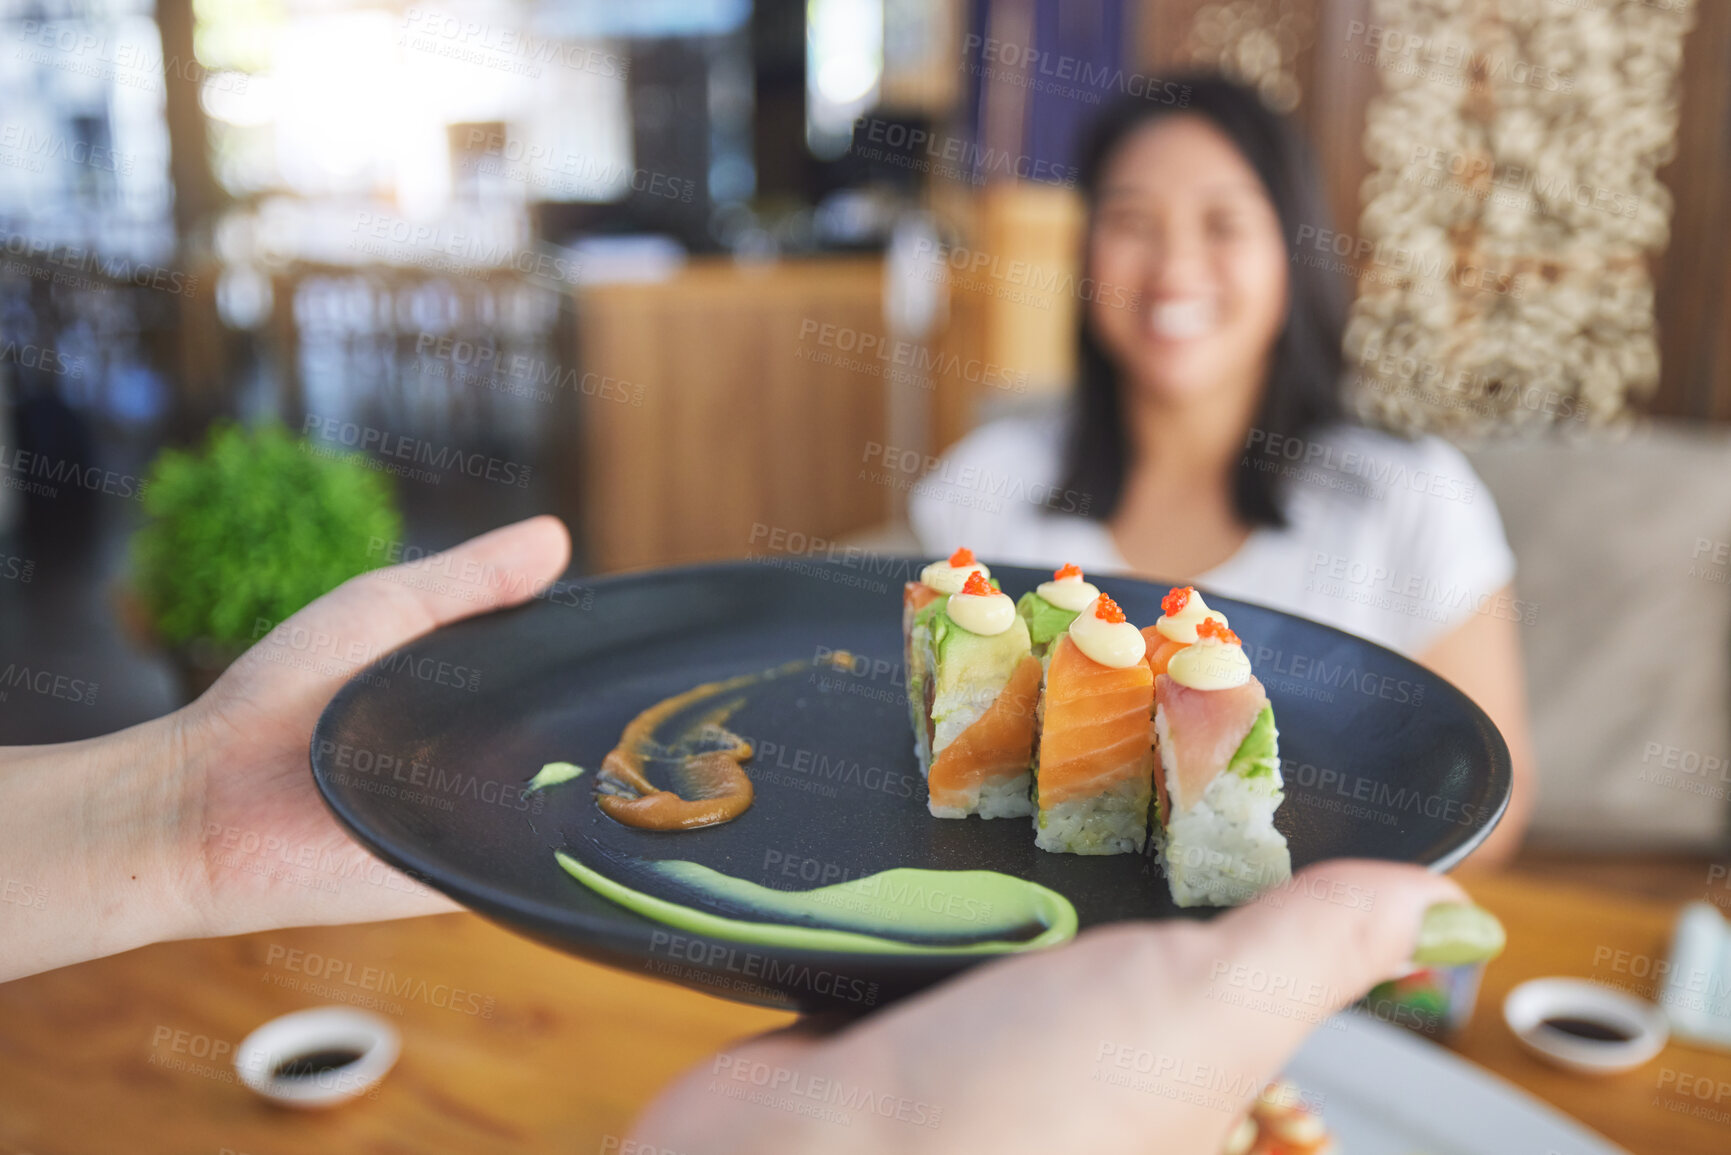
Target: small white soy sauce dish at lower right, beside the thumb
(1642, 1024)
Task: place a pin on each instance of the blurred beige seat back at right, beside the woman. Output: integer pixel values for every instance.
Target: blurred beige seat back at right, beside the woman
(1625, 548)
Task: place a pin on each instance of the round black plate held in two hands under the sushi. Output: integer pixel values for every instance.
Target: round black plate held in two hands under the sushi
(425, 758)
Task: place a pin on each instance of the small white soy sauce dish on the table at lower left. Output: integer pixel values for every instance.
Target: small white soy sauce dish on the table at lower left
(292, 1061)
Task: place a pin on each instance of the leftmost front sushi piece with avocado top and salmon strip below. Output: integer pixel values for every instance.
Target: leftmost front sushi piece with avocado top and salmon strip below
(981, 690)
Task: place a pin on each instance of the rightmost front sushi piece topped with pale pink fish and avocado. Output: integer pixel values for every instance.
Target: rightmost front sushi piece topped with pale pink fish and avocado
(1218, 775)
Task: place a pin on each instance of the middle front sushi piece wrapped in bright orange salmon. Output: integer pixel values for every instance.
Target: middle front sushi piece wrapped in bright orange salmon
(1093, 775)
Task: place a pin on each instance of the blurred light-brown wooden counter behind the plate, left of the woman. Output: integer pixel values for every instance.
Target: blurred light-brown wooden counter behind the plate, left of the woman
(747, 401)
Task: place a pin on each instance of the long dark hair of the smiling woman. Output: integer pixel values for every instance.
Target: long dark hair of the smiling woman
(1306, 366)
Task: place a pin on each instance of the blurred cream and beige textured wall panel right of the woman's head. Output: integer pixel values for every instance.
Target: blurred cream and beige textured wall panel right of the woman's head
(1512, 209)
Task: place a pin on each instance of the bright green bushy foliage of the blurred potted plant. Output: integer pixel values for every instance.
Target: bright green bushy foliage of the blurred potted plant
(245, 532)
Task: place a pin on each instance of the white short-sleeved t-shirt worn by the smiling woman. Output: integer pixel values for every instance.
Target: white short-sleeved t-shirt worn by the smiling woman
(1389, 539)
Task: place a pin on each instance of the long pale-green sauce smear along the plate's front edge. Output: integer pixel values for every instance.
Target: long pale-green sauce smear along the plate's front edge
(863, 915)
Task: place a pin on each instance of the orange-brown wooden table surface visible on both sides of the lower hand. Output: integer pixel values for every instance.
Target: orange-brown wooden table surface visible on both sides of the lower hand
(510, 1047)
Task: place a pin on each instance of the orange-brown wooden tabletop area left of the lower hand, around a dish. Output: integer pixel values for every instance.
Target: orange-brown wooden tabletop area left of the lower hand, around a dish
(508, 1047)
